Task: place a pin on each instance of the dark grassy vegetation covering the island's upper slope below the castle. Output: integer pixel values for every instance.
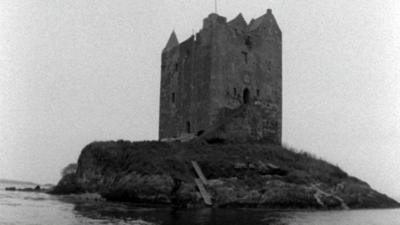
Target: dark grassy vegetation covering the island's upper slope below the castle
(217, 160)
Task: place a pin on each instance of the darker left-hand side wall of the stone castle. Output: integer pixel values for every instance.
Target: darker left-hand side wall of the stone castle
(185, 82)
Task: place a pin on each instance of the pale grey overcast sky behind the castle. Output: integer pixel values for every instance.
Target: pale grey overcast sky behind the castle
(75, 71)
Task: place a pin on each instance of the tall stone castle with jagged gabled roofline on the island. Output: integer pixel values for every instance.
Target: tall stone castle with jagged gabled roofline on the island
(225, 81)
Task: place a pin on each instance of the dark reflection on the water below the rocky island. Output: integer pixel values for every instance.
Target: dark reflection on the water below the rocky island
(167, 216)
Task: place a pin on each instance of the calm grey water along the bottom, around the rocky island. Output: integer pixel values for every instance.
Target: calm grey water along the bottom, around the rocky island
(24, 208)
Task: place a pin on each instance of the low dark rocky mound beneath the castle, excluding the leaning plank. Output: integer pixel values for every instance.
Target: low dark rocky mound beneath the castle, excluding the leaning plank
(239, 175)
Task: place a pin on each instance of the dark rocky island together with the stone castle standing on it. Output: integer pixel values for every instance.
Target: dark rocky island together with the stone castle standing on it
(220, 134)
